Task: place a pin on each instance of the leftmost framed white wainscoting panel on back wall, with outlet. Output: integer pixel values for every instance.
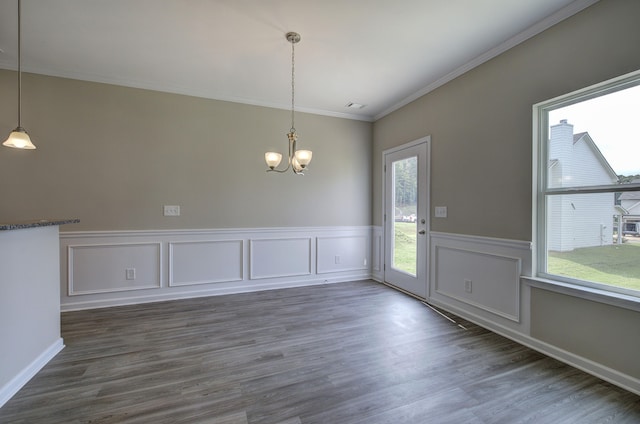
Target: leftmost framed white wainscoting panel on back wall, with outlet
(102, 268)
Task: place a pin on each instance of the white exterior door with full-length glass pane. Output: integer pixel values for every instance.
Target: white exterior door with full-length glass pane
(406, 217)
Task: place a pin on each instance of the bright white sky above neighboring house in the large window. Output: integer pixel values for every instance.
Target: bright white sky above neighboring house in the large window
(613, 122)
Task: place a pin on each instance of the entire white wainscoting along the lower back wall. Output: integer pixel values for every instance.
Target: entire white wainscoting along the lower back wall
(176, 264)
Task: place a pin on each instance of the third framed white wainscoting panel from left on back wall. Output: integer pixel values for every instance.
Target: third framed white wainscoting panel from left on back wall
(280, 257)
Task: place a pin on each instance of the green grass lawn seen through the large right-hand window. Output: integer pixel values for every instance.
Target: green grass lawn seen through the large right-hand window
(616, 265)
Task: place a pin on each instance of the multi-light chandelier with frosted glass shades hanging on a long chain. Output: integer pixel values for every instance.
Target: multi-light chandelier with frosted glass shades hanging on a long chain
(298, 159)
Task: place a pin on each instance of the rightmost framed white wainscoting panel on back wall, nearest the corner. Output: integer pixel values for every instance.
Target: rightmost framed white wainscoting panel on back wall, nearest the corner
(342, 253)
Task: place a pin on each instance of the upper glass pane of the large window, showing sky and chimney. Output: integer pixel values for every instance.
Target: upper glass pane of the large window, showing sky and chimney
(592, 142)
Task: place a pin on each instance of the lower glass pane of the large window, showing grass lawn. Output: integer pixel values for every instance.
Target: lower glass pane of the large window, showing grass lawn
(583, 242)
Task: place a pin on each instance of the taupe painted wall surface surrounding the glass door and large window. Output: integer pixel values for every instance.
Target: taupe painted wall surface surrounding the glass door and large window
(481, 128)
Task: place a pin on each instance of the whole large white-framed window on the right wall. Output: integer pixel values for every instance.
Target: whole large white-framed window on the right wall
(587, 174)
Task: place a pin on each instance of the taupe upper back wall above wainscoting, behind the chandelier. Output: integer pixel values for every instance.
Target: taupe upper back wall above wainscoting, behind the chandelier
(112, 156)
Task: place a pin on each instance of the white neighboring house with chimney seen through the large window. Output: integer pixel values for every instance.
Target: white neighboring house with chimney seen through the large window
(579, 220)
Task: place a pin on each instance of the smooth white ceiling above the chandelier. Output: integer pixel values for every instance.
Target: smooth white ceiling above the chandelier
(379, 53)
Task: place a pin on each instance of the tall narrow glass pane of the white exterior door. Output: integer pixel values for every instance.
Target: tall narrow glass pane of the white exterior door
(405, 204)
